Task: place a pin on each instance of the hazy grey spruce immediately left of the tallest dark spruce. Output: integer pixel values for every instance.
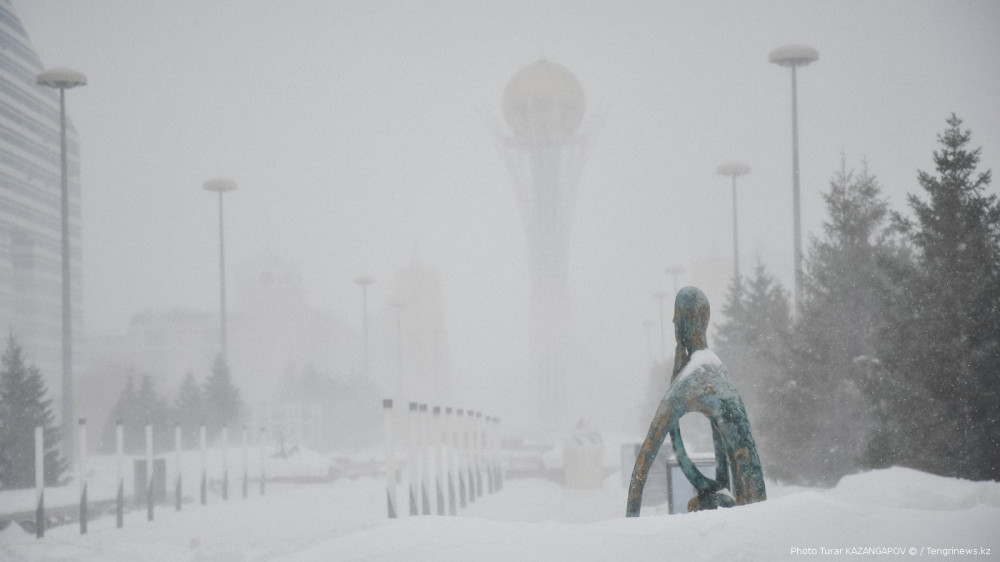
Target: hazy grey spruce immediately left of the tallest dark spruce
(834, 345)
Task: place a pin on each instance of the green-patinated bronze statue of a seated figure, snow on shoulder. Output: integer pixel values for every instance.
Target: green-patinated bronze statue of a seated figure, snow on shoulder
(699, 384)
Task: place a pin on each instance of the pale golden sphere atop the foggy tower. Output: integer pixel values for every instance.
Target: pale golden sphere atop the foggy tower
(543, 101)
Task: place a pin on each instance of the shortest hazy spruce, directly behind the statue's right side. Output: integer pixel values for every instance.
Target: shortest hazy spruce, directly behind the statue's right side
(753, 343)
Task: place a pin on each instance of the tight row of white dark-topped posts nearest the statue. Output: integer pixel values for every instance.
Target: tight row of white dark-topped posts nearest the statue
(466, 454)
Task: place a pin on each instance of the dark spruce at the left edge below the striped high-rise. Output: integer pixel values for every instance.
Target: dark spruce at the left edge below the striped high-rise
(23, 406)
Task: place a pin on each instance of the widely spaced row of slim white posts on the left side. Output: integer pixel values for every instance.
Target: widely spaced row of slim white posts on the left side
(150, 499)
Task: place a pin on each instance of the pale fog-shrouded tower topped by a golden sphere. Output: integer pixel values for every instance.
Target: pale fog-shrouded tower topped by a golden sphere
(543, 105)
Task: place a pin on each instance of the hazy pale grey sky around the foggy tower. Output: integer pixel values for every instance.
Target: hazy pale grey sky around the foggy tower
(359, 133)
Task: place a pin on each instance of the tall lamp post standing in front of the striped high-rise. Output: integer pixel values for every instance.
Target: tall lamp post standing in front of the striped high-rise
(63, 79)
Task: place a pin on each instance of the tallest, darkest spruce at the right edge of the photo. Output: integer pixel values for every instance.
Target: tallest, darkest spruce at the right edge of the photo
(944, 341)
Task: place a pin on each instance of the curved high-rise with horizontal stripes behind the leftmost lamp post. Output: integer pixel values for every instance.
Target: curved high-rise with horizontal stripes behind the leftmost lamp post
(30, 208)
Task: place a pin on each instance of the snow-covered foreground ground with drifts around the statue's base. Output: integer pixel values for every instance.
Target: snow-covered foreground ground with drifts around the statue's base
(887, 513)
